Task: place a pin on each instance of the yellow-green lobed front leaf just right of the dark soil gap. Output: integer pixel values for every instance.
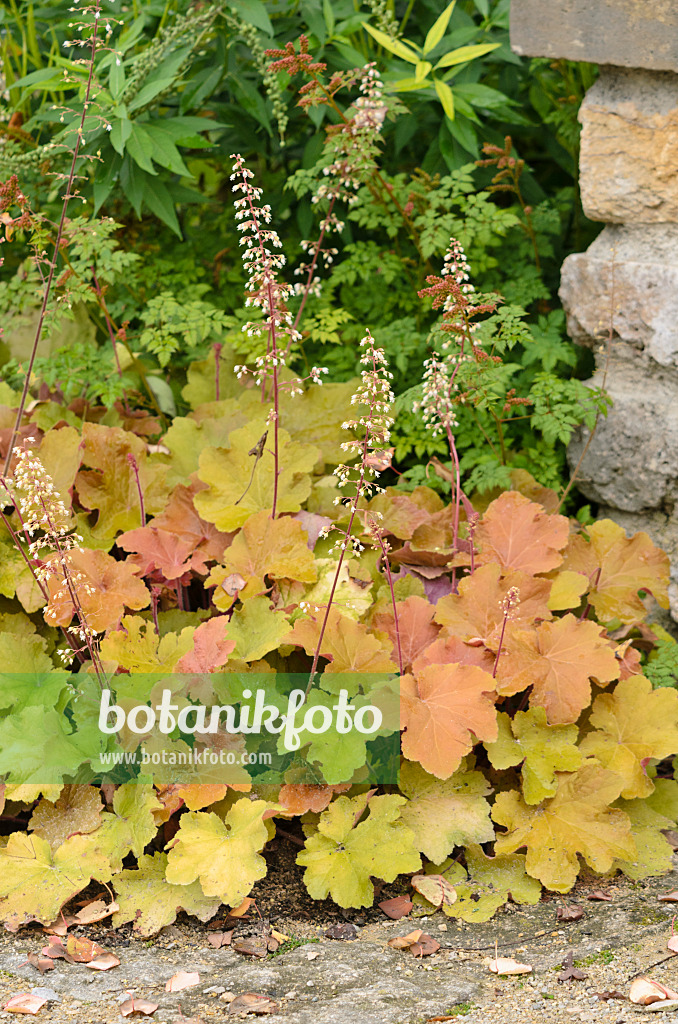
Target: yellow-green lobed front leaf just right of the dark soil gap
(342, 858)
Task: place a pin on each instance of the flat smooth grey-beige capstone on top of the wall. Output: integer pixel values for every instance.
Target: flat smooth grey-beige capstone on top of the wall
(627, 33)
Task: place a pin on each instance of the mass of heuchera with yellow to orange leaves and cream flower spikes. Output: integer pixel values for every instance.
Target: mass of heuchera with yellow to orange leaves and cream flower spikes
(251, 537)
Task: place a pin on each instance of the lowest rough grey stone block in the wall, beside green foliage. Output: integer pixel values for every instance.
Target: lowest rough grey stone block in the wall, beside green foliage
(632, 462)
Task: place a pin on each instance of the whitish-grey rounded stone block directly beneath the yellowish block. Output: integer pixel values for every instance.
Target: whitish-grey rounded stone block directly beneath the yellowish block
(627, 280)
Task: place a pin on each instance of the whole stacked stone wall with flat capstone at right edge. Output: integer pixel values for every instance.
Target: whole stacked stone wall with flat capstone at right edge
(625, 287)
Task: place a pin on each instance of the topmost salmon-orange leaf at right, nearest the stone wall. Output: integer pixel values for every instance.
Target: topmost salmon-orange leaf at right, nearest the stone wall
(520, 535)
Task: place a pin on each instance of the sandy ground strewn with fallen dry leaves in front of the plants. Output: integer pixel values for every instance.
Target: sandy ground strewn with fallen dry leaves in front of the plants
(316, 980)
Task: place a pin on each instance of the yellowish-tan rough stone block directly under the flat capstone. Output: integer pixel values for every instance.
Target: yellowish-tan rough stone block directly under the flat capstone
(630, 148)
